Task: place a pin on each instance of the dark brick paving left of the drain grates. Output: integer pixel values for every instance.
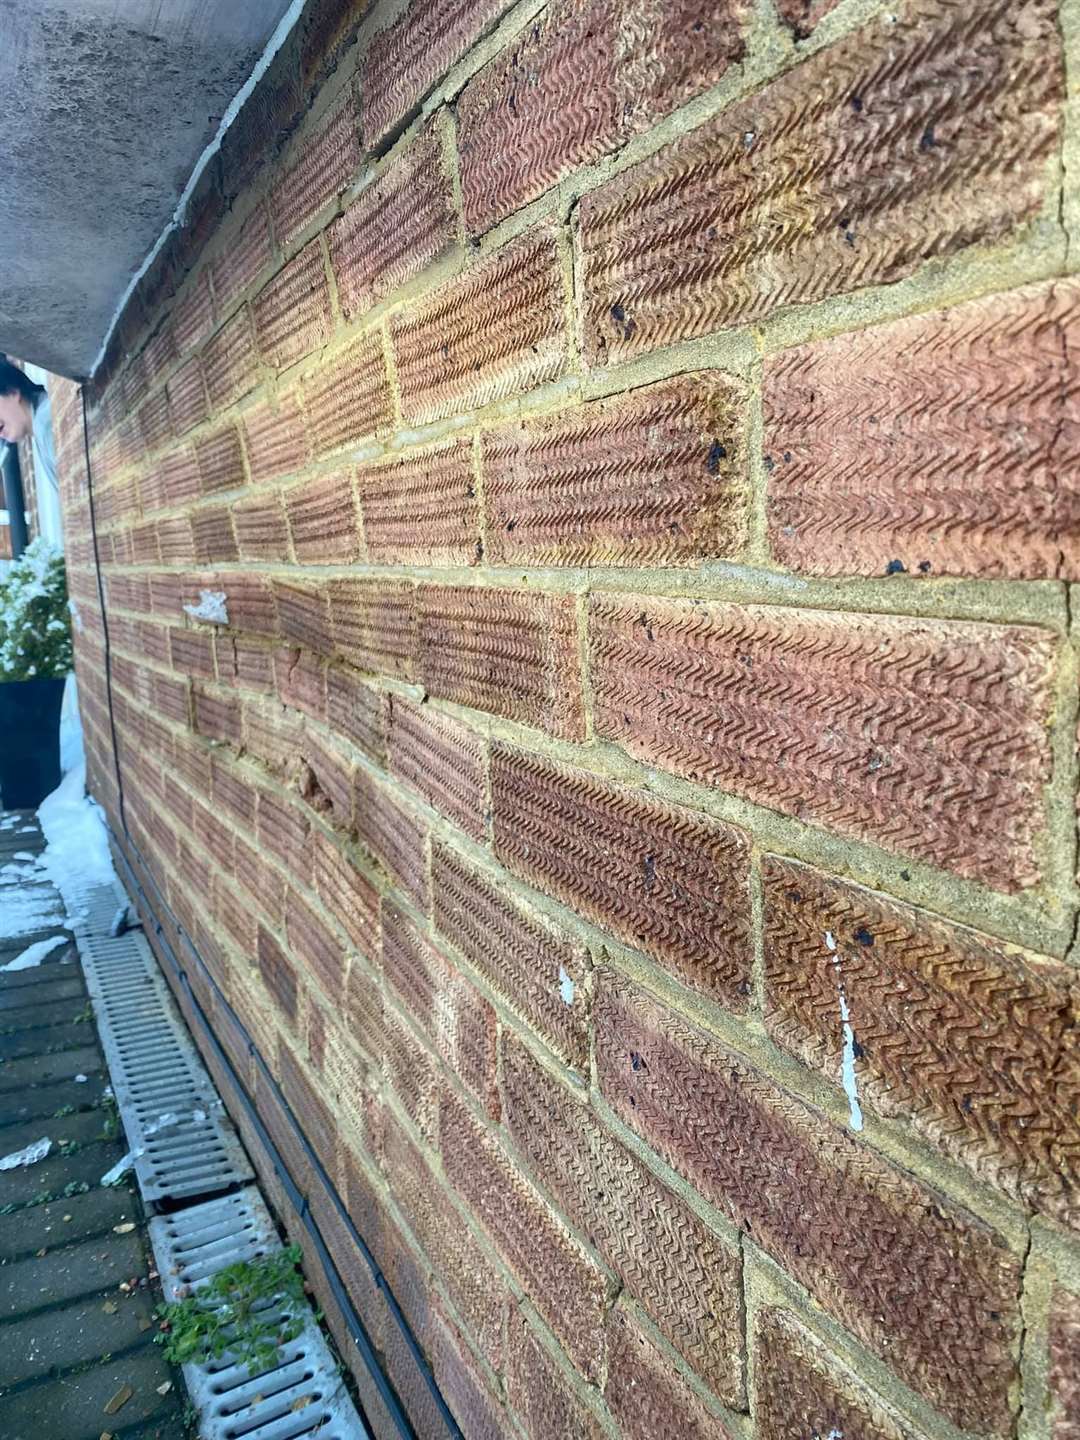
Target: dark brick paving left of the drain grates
(77, 1294)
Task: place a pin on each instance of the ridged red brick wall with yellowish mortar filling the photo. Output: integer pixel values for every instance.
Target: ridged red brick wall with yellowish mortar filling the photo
(631, 803)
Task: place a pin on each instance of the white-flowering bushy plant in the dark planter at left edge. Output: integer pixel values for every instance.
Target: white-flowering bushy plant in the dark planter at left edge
(35, 624)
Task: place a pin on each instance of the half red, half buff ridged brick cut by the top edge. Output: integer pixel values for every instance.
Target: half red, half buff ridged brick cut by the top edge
(581, 81)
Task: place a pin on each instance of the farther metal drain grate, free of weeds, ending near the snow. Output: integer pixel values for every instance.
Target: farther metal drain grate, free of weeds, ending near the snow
(182, 1141)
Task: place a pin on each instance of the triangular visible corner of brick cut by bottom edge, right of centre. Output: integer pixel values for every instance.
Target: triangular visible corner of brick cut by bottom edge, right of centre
(801, 1390)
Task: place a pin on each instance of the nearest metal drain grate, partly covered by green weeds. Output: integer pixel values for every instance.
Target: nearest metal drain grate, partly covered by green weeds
(303, 1393)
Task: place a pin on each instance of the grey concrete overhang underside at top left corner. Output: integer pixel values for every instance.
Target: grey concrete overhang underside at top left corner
(106, 107)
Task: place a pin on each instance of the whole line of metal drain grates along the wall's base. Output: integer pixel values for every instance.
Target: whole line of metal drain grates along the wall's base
(189, 1161)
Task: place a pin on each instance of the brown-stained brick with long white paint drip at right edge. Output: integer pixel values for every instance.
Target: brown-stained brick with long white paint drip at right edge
(958, 1035)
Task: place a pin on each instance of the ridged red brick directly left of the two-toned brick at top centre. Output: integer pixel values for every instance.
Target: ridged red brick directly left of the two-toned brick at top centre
(395, 228)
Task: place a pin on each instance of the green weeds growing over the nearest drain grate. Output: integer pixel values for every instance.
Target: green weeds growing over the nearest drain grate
(247, 1310)
